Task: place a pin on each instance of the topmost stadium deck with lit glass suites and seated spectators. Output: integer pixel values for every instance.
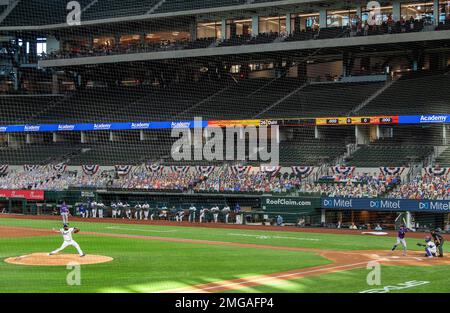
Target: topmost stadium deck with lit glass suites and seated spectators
(139, 29)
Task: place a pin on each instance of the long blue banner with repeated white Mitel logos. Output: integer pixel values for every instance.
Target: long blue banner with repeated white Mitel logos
(392, 205)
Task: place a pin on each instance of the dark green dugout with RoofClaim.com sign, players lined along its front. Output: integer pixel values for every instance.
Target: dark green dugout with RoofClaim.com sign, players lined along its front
(255, 208)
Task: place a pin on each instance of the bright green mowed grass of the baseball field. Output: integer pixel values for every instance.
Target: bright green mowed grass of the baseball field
(151, 266)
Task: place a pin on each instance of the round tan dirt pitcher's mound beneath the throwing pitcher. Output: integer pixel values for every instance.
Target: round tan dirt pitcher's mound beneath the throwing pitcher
(57, 260)
